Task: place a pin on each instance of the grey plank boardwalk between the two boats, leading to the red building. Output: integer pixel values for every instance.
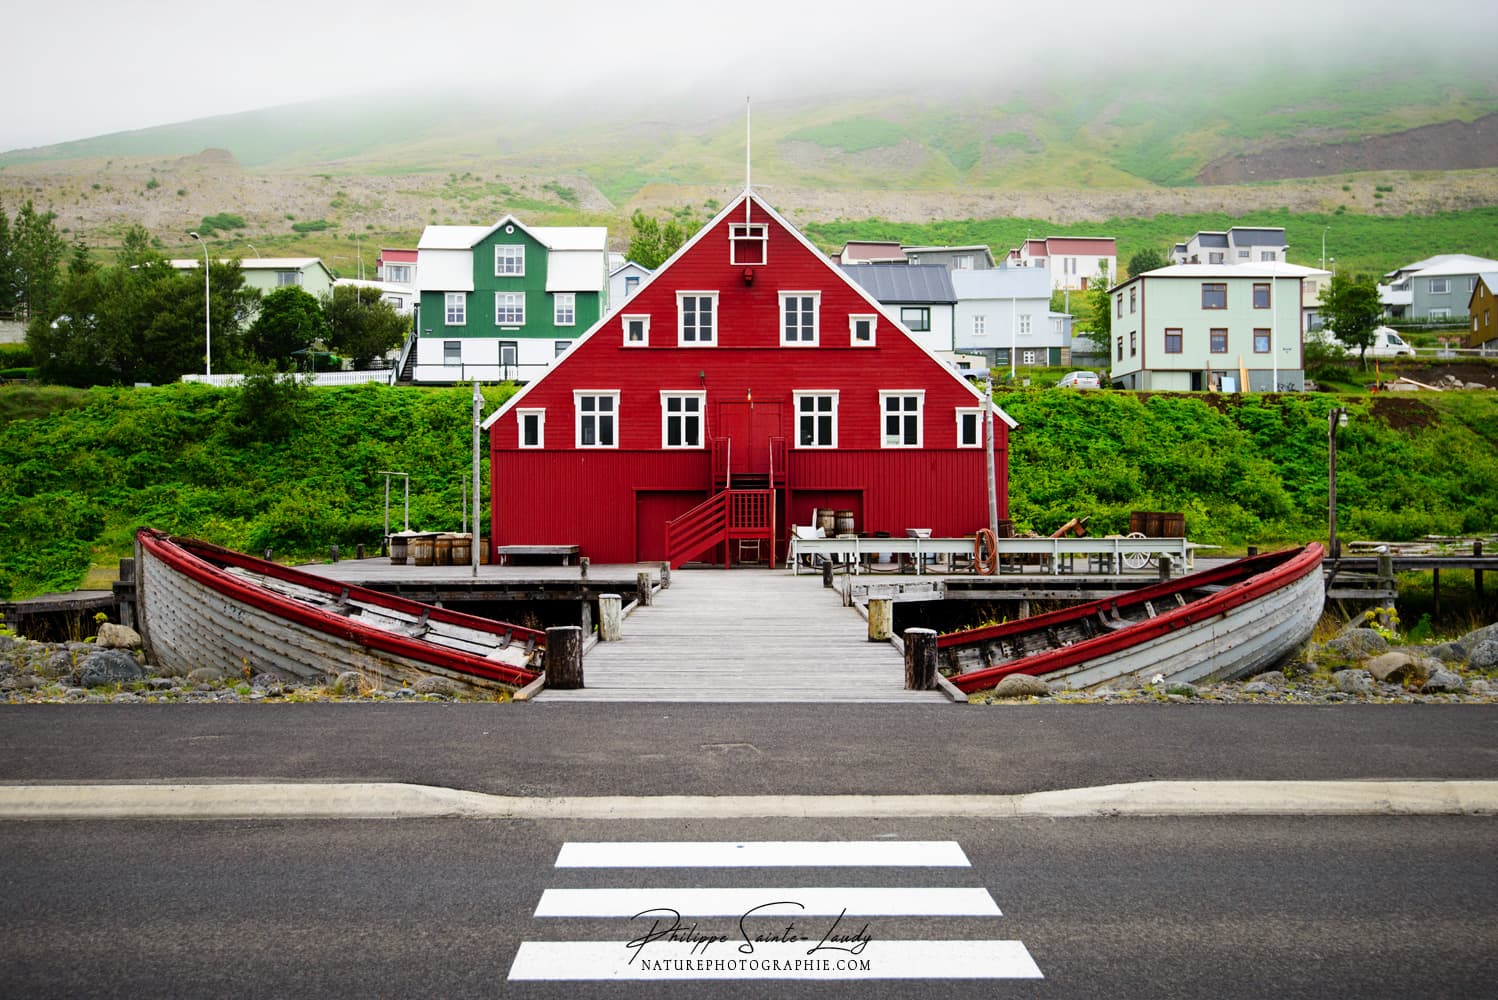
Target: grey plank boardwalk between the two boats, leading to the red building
(745, 635)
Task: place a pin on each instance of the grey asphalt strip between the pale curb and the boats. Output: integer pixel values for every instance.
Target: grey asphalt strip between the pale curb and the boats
(744, 749)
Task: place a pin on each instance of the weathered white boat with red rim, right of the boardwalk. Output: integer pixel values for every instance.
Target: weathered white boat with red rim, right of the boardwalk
(1217, 625)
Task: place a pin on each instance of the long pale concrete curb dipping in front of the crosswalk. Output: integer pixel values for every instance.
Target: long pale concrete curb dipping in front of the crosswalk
(422, 802)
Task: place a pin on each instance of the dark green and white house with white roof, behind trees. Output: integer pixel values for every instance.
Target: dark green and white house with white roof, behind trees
(504, 302)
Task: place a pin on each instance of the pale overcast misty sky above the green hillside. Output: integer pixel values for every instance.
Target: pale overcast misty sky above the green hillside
(86, 68)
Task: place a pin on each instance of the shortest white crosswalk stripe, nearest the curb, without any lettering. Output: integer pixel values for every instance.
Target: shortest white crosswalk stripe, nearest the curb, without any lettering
(766, 854)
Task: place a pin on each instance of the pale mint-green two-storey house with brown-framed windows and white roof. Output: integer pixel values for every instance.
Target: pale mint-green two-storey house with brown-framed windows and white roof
(1199, 327)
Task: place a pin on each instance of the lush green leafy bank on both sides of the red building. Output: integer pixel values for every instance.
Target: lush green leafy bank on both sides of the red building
(80, 471)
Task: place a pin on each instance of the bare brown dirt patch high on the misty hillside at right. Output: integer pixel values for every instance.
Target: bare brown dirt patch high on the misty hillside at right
(1451, 146)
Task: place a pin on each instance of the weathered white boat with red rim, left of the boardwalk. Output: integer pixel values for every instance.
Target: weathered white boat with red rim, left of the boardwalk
(204, 606)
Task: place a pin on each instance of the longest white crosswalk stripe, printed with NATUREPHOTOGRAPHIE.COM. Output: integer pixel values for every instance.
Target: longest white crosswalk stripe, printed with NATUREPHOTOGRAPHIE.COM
(879, 960)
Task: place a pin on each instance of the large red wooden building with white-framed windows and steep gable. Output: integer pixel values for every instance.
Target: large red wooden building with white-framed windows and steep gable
(744, 387)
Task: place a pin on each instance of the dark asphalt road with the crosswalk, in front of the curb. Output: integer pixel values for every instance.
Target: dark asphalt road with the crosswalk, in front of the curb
(1117, 908)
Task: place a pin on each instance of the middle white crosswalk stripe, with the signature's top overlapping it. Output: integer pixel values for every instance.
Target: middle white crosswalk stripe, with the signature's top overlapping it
(771, 902)
